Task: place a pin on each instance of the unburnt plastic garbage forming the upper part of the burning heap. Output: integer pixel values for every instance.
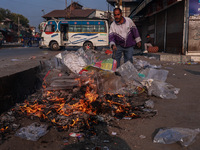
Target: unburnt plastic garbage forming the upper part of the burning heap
(128, 79)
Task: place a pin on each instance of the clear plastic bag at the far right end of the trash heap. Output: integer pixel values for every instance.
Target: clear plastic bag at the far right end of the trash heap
(163, 90)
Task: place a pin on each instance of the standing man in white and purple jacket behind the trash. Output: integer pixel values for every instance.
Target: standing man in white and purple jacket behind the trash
(123, 36)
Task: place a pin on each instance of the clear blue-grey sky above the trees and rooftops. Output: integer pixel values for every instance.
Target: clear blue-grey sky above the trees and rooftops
(32, 9)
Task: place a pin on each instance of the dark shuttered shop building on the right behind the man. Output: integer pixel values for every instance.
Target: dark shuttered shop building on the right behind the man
(171, 24)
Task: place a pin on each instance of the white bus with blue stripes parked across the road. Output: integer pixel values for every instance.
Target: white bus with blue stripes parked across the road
(86, 33)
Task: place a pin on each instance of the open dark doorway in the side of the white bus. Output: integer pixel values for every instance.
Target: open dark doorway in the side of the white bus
(64, 28)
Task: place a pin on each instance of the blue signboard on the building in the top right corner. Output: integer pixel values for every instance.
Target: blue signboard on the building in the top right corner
(194, 7)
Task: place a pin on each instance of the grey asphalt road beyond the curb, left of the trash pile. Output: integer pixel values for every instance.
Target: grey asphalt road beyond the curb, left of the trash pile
(14, 60)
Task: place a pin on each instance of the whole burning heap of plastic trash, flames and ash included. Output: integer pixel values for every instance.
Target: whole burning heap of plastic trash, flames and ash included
(81, 91)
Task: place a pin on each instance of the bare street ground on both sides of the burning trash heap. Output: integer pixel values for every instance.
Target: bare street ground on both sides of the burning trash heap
(131, 134)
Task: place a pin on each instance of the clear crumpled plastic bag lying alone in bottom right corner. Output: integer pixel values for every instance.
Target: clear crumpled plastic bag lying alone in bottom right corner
(183, 135)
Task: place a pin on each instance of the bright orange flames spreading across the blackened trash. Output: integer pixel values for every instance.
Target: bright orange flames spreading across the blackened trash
(85, 105)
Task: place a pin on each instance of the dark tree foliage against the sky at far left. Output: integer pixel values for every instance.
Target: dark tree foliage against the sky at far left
(5, 13)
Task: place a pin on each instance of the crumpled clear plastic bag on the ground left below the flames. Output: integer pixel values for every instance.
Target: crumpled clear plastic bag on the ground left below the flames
(32, 132)
